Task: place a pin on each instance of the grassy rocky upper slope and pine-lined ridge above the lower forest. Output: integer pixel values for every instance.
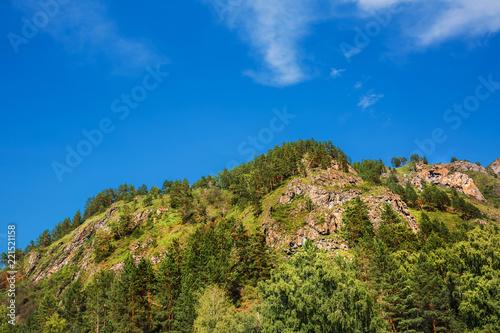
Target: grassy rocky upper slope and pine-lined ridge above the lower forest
(303, 204)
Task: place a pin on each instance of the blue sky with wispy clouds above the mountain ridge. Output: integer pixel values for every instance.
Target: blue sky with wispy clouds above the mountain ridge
(154, 90)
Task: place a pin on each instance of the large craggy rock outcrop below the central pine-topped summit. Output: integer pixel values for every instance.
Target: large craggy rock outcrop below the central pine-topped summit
(328, 191)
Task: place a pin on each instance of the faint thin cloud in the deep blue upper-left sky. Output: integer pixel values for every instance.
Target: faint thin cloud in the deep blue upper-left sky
(85, 28)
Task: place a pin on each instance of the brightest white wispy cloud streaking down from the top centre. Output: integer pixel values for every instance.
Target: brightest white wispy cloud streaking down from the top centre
(274, 29)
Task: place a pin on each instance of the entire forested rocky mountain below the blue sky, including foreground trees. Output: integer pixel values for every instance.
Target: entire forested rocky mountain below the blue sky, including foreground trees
(300, 239)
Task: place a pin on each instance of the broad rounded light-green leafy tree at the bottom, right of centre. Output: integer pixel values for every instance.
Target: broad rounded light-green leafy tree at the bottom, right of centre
(313, 293)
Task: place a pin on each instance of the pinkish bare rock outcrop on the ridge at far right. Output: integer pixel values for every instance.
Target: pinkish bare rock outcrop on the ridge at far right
(439, 174)
